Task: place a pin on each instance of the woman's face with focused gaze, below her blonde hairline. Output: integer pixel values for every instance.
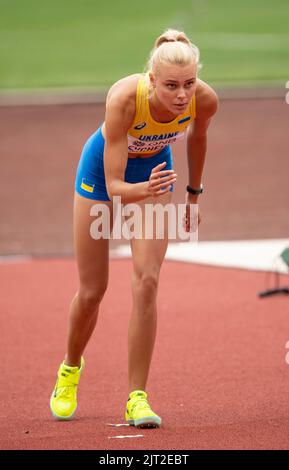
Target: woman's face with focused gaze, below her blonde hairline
(175, 85)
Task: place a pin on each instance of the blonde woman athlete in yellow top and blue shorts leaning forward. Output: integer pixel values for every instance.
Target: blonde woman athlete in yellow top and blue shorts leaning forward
(129, 156)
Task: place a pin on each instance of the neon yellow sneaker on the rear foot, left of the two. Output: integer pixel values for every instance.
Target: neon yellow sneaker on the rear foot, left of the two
(63, 401)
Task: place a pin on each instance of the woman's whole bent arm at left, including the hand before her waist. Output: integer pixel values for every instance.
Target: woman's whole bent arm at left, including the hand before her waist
(118, 119)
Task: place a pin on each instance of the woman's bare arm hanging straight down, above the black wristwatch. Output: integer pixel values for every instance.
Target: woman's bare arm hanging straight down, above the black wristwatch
(206, 107)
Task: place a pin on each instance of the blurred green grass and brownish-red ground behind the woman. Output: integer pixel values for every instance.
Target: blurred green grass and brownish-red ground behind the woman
(59, 58)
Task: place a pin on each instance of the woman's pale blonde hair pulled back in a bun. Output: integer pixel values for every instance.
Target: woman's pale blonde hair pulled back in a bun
(173, 47)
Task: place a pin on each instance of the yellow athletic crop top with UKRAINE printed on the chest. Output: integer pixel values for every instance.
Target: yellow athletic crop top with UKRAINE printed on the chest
(149, 136)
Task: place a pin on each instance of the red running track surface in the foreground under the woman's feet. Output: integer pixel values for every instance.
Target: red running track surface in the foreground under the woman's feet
(219, 378)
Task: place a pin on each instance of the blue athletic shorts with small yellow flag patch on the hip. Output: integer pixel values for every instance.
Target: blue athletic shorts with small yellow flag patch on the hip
(90, 177)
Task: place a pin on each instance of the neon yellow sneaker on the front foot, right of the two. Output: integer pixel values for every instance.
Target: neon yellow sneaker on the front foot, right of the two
(139, 413)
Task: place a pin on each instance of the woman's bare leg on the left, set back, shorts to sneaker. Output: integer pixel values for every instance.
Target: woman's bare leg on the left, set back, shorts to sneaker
(92, 257)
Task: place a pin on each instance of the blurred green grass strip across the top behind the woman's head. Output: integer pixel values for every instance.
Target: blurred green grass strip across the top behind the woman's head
(91, 43)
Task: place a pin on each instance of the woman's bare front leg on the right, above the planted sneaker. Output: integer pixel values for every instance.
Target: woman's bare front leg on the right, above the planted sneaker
(147, 256)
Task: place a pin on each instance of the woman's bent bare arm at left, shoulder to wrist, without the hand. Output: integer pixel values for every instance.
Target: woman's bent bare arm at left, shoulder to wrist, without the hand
(118, 119)
